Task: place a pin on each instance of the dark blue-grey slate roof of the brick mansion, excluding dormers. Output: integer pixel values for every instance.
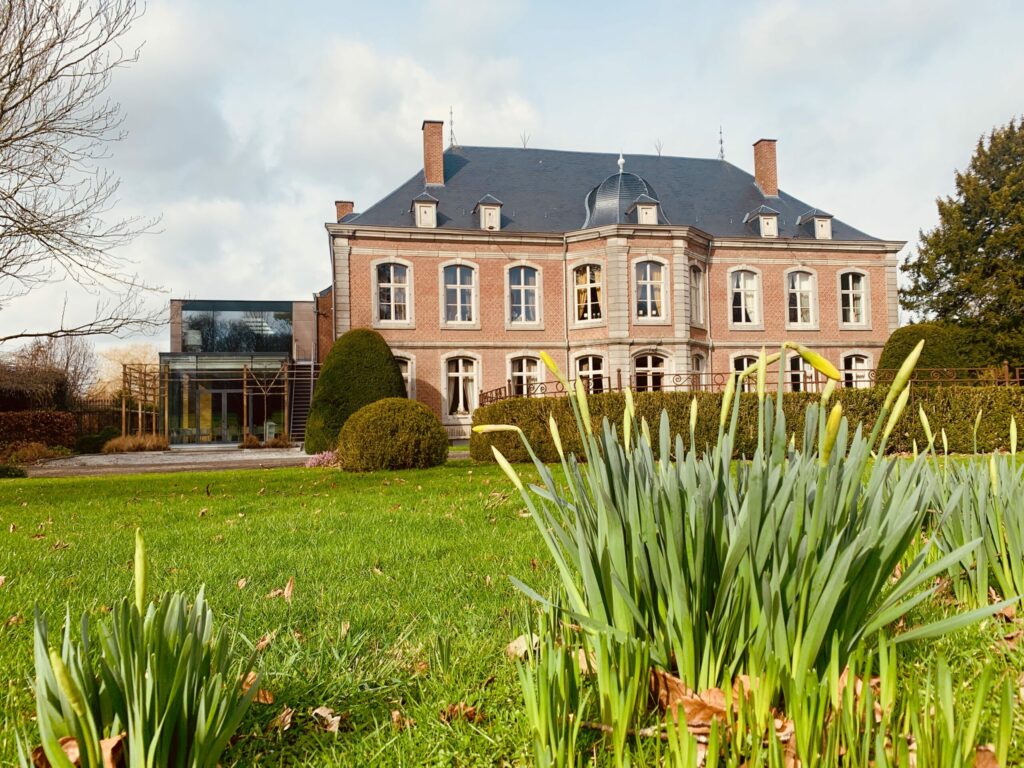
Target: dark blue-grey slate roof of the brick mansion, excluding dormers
(548, 191)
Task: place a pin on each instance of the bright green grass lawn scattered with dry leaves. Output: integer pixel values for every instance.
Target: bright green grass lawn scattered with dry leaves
(414, 565)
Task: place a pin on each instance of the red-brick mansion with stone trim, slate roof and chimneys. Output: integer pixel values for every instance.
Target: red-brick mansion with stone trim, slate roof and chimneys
(642, 270)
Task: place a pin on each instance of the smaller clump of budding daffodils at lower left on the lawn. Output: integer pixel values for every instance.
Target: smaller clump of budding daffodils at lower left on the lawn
(156, 686)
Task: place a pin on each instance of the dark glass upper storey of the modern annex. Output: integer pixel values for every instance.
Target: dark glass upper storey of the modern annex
(239, 327)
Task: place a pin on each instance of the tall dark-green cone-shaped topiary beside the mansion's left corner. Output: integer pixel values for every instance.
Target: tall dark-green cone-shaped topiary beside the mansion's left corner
(359, 370)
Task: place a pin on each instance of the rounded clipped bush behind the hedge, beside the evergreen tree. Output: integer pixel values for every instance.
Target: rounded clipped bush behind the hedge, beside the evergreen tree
(947, 346)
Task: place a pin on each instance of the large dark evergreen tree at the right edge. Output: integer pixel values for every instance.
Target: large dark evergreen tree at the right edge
(970, 269)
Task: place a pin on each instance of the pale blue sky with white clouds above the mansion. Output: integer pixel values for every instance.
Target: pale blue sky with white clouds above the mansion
(248, 119)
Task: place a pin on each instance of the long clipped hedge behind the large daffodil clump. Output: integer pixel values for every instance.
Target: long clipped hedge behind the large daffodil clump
(951, 408)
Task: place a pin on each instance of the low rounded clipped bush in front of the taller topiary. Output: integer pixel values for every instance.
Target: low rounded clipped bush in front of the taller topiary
(394, 434)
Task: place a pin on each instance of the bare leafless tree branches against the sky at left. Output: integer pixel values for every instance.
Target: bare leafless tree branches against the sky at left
(57, 125)
